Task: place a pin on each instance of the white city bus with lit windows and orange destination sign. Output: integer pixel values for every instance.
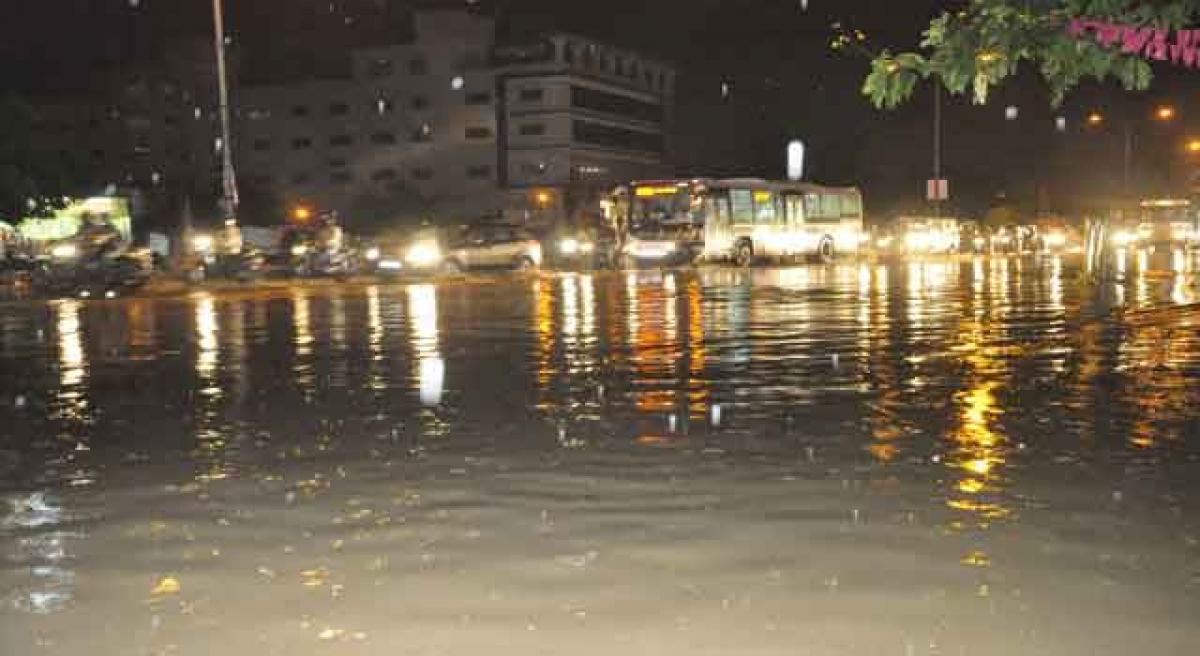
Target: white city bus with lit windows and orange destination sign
(737, 220)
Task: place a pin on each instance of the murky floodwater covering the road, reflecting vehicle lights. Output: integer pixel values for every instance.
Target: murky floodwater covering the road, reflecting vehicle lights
(976, 458)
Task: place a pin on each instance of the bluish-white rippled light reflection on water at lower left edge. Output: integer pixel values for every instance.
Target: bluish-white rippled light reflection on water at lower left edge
(38, 519)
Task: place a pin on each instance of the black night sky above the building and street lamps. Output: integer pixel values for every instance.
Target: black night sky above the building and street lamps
(787, 83)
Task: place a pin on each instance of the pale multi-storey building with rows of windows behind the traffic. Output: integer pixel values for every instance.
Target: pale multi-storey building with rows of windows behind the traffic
(451, 128)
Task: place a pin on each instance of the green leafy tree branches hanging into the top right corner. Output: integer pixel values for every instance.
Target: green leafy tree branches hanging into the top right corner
(977, 47)
